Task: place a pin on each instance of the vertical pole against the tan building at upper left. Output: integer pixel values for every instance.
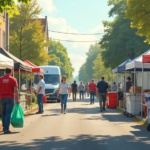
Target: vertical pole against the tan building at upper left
(7, 32)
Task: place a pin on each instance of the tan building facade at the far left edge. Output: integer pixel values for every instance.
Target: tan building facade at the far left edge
(3, 30)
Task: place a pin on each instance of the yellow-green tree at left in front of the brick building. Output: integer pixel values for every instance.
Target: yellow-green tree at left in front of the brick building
(27, 36)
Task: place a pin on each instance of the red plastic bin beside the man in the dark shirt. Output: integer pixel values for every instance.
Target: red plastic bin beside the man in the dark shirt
(112, 96)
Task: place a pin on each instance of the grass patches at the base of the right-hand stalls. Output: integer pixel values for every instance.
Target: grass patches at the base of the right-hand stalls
(136, 119)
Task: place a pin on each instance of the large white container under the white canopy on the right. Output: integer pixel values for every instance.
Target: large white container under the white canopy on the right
(133, 103)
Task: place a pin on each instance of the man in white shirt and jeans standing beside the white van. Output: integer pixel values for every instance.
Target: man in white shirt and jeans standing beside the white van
(40, 91)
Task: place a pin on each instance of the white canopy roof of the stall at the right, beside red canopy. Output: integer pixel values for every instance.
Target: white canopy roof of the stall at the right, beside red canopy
(137, 63)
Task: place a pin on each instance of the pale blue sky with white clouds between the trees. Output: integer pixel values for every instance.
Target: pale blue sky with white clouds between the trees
(75, 16)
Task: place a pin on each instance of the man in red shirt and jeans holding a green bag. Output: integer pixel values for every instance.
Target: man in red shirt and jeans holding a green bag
(8, 87)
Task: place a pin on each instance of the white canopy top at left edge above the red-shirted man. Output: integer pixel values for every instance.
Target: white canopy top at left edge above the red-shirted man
(5, 62)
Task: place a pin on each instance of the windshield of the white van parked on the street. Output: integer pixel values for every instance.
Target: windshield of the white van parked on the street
(51, 79)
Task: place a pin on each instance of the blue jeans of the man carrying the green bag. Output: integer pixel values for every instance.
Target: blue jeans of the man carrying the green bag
(7, 105)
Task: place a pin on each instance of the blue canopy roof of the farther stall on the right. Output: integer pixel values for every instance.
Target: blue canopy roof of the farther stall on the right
(121, 68)
